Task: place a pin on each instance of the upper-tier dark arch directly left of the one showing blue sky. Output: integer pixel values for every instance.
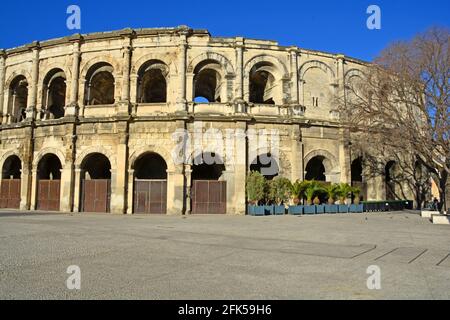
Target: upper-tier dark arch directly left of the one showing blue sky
(152, 82)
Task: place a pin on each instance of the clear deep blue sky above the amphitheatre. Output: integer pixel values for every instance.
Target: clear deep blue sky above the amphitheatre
(328, 25)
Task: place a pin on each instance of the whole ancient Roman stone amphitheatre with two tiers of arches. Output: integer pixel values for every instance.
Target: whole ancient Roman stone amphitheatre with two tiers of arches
(94, 123)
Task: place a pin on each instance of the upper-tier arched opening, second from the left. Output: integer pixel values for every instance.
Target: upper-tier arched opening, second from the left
(54, 94)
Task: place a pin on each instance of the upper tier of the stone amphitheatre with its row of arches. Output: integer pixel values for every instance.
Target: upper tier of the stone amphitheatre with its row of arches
(169, 73)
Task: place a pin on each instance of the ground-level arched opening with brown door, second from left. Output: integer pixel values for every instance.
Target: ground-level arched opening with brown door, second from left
(49, 183)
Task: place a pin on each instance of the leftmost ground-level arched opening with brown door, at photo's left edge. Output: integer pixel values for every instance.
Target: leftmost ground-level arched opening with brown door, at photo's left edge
(10, 183)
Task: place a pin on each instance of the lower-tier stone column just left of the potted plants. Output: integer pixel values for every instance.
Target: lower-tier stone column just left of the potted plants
(240, 169)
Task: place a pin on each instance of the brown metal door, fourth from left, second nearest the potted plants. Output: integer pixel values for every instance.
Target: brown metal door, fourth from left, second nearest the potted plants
(150, 196)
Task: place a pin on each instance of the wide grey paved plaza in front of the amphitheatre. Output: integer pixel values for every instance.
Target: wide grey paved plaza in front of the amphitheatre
(223, 257)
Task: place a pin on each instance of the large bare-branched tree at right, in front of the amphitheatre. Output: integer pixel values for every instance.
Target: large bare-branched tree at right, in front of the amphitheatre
(399, 107)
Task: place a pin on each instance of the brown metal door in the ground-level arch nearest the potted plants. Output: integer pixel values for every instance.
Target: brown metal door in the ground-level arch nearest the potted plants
(209, 197)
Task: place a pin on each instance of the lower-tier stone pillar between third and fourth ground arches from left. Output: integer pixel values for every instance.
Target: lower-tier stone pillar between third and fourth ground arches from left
(119, 184)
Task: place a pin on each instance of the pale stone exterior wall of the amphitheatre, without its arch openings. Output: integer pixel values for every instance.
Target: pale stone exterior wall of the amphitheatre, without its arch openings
(301, 85)
